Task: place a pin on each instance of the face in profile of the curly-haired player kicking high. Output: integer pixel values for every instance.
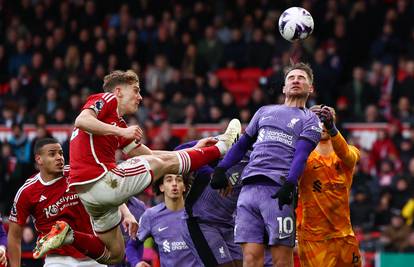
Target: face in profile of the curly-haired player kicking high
(129, 98)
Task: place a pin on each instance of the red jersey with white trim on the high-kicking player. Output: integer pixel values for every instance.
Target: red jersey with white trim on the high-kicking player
(91, 156)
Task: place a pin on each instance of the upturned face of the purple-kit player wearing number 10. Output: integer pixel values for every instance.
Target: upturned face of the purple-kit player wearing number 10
(297, 84)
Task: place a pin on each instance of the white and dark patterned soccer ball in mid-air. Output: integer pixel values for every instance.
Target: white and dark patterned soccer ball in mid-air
(295, 23)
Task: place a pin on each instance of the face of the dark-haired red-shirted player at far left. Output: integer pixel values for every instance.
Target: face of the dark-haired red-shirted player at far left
(50, 159)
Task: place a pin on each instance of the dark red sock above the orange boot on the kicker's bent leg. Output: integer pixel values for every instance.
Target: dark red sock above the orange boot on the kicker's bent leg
(88, 244)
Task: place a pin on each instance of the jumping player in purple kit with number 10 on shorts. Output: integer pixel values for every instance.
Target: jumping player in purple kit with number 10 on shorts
(282, 137)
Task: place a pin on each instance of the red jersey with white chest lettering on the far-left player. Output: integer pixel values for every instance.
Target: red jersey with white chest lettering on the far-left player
(48, 202)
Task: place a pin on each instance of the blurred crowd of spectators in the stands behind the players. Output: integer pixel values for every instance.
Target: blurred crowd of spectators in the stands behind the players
(53, 54)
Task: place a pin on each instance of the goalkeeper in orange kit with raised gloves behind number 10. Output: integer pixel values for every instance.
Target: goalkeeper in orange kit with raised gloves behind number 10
(325, 233)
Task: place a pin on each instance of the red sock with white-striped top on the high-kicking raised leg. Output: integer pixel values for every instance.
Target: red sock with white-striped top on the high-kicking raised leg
(195, 158)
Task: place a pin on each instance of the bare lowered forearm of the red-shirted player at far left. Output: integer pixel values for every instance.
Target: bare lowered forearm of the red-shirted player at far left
(14, 244)
